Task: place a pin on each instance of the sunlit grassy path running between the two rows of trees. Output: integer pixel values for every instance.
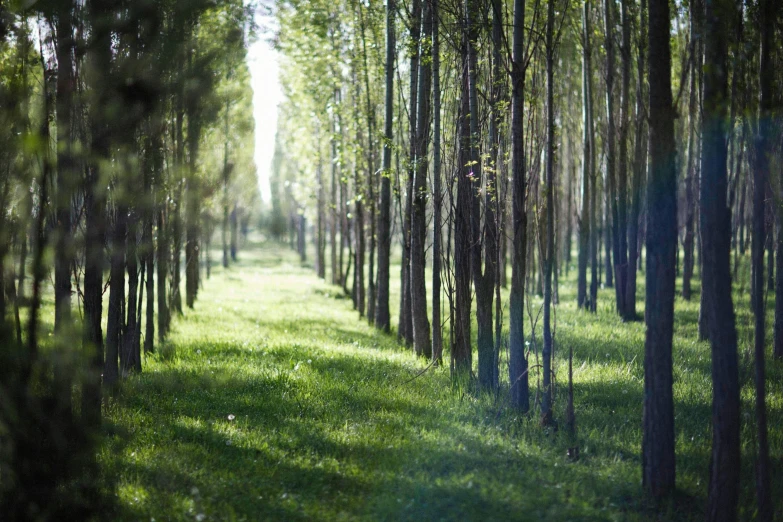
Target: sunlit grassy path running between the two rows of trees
(272, 401)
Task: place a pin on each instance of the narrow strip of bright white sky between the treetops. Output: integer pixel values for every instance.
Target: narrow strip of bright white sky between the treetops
(267, 94)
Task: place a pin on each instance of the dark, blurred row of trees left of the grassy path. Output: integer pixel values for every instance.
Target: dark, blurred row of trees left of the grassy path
(127, 138)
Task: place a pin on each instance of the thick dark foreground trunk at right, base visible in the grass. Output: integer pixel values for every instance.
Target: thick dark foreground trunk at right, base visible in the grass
(658, 462)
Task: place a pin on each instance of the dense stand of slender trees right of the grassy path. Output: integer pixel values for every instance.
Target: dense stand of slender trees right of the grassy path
(486, 105)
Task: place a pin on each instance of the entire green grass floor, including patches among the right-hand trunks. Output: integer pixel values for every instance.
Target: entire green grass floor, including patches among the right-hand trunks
(273, 401)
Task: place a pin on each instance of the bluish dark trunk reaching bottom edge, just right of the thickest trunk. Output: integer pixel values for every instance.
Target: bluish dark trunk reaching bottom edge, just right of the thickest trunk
(716, 277)
